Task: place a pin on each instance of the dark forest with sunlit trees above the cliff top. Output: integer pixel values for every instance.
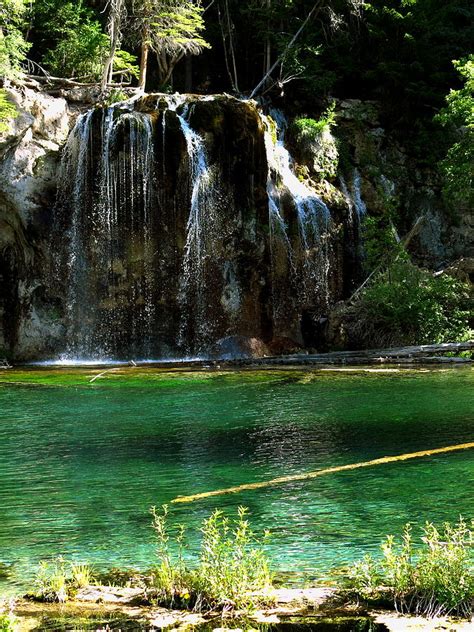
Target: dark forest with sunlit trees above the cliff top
(298, 52)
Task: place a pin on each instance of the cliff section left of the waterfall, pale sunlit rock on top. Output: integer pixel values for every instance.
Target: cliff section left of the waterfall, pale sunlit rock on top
(29, 161)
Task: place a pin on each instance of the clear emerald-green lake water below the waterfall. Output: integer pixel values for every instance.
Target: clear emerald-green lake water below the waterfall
(82, 462)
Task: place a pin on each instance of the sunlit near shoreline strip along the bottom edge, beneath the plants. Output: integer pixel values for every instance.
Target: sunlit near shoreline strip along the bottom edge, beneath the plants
(96, 607)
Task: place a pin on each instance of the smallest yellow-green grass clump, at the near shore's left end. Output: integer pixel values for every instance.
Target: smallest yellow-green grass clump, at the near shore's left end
(59, 579)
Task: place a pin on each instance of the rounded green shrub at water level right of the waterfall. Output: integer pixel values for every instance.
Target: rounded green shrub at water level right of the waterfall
(408, 305)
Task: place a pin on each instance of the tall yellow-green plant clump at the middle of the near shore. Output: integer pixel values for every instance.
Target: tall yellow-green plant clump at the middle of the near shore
(231, 571)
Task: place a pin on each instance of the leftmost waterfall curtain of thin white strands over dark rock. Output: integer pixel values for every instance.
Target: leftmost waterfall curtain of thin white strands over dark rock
(110, 301)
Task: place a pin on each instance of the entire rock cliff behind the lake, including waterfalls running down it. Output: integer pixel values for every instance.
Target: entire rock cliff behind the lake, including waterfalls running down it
(180, 226)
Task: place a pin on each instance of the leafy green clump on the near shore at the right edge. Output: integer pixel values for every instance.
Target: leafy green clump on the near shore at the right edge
(435, 579)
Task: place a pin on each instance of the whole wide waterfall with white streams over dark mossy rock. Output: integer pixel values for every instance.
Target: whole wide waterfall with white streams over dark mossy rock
(172, 244)
